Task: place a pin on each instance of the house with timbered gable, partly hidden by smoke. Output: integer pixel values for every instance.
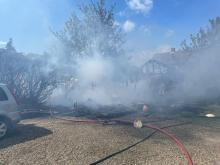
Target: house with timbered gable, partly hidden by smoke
(164, 70)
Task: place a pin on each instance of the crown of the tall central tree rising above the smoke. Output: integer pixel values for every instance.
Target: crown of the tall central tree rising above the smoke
(95, 29)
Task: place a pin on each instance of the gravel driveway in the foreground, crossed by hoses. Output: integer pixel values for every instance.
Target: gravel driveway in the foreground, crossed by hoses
(53, 141)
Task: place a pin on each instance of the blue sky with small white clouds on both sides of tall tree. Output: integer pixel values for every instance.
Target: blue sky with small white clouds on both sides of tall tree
(149, 24)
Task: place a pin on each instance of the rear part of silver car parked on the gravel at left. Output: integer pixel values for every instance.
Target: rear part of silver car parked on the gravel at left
(9, 114)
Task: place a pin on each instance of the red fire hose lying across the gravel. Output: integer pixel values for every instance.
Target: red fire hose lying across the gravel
(180, 145)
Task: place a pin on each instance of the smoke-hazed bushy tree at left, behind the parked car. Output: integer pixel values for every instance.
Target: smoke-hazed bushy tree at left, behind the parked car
(25, 77)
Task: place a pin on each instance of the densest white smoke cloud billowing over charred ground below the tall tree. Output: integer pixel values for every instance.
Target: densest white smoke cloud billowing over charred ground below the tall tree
(102, 81)
